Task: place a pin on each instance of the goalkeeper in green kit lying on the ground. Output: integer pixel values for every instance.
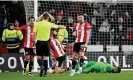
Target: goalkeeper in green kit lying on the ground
(99, 67)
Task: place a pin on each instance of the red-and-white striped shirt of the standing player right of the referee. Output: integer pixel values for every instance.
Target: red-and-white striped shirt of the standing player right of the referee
(81, 29)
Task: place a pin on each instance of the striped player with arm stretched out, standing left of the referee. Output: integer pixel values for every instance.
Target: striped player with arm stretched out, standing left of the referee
(28, 44)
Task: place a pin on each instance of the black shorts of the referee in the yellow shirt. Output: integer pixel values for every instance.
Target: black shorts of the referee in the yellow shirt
(43, 48)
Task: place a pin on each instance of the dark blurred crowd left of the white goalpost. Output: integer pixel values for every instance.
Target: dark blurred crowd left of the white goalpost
(11, 12)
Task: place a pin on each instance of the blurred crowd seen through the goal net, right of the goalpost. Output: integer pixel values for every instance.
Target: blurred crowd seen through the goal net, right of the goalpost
(111, 23)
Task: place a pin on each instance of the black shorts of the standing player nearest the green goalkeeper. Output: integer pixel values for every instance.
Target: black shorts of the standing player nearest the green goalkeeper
(77, 47)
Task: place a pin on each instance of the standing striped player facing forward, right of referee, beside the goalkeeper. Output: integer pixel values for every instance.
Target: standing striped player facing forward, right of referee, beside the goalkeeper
(82, 30)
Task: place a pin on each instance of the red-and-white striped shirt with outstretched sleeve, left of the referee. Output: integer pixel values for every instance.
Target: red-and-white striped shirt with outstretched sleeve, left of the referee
(28, 43)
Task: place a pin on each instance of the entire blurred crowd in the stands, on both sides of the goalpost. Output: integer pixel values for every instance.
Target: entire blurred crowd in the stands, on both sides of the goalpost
(111, 23)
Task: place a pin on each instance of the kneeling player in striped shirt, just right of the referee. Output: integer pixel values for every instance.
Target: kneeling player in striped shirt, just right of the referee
(58, 53)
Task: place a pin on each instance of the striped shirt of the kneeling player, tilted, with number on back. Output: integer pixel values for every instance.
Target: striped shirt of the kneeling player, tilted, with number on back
(57, 48)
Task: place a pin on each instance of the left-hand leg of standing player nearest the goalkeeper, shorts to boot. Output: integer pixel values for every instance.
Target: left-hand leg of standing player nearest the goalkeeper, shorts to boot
(76, 50)
